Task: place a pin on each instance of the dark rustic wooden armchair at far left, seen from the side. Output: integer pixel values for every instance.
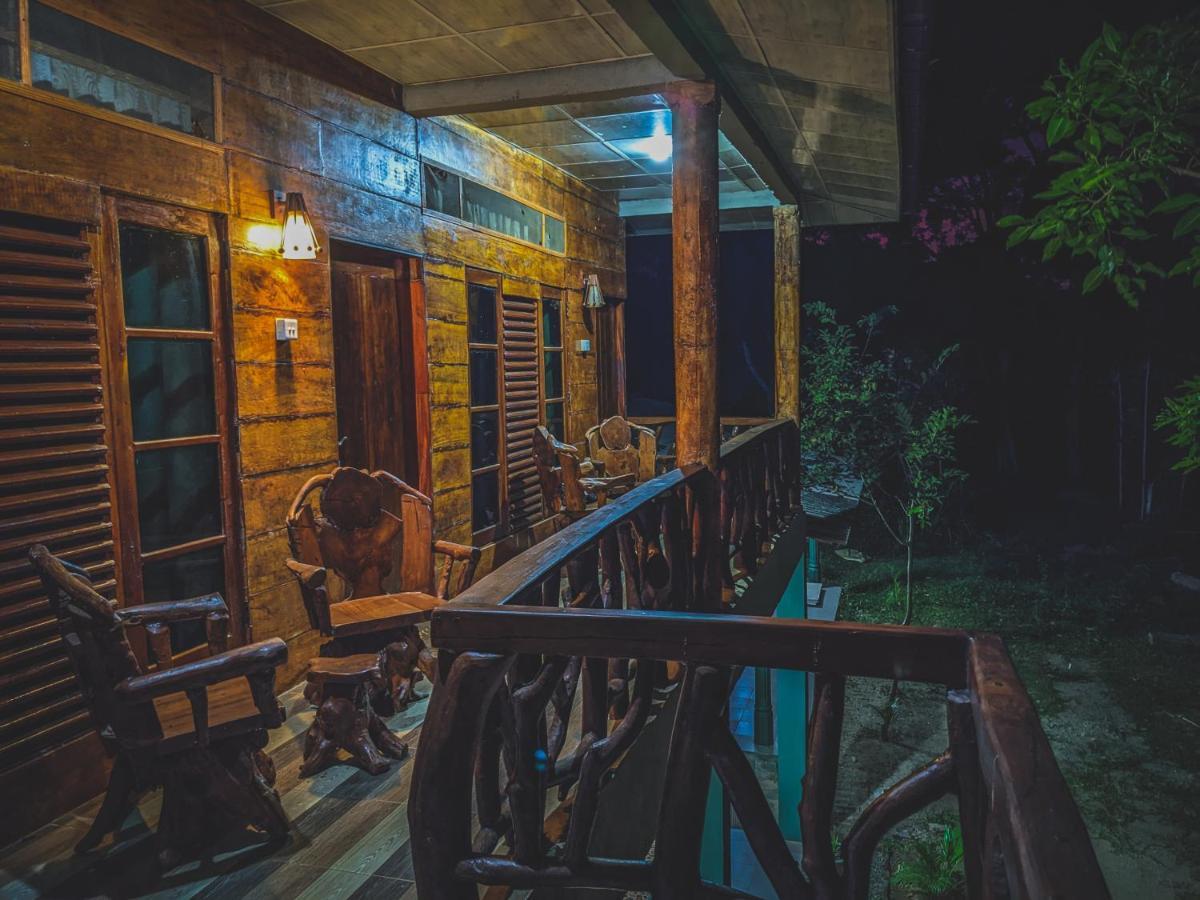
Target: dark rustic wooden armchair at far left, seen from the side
(197, 729)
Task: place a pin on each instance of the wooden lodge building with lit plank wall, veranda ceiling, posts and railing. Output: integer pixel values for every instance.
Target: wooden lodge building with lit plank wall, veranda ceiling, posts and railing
(177, 363)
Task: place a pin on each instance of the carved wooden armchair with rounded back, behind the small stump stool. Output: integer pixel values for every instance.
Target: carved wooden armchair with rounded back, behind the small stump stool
(345, 549)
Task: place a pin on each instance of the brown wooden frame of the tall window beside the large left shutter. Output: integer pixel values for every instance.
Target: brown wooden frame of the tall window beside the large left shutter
(117, 335)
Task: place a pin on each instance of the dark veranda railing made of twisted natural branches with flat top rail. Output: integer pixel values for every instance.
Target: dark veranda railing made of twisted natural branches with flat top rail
(641, 622)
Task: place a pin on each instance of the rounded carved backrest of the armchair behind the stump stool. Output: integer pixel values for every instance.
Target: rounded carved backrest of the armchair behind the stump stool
(353, 536)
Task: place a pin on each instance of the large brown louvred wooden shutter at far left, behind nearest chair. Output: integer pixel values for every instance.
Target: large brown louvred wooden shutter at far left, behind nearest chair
(55, 481)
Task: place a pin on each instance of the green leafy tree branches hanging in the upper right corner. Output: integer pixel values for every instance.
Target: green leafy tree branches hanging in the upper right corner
(1126, 122)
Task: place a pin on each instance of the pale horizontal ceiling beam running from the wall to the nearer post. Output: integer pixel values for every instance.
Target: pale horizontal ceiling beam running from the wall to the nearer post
(545, 87)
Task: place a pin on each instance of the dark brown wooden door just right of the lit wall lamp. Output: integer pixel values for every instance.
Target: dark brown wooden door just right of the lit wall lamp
(373, 369)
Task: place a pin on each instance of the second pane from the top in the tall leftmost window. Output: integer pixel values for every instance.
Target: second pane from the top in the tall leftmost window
(171, 388)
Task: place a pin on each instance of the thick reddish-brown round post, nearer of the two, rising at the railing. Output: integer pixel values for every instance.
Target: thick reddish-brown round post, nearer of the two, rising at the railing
(694, 229)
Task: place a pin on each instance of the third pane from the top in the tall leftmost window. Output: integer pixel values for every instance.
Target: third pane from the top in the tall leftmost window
(179, 495)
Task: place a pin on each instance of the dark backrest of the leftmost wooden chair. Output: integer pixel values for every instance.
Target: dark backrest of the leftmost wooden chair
(94, 635)
